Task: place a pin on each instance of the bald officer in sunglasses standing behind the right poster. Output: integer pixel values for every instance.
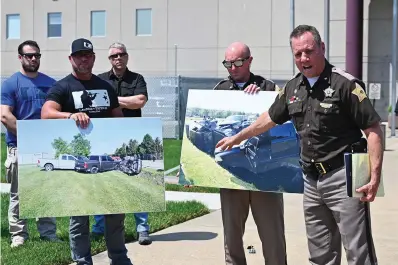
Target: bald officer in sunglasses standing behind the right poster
(266, 207)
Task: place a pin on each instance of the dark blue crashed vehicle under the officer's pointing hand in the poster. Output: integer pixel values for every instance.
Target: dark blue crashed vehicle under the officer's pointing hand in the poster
(269, 161)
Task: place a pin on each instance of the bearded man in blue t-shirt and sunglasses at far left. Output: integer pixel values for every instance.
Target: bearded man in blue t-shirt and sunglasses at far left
(22, 97)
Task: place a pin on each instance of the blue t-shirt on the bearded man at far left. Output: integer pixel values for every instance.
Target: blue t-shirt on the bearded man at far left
(26, 95)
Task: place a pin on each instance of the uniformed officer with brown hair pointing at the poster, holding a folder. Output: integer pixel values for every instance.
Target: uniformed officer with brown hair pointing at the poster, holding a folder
(329, 108)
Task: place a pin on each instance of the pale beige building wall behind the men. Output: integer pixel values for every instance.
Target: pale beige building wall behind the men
(201, 30)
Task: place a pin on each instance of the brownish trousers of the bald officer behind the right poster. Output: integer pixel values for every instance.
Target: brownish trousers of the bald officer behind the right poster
(267, 210)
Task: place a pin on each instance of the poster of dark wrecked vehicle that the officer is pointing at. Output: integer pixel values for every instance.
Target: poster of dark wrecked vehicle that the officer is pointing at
(266, 162)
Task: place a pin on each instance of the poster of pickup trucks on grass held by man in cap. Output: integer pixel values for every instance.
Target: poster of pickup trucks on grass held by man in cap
(114, 166)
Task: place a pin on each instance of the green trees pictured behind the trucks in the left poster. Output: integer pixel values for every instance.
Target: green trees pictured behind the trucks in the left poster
(148, 148)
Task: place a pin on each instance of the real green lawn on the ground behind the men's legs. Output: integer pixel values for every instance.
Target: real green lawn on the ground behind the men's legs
(37, 252)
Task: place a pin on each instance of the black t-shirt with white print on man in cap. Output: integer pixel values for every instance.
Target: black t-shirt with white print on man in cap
(95, 97)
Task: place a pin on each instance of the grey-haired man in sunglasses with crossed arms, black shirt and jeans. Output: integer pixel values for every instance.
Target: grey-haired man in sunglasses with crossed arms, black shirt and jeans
(132, 94)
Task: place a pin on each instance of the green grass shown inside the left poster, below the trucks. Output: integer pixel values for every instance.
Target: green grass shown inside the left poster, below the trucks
(66, 192)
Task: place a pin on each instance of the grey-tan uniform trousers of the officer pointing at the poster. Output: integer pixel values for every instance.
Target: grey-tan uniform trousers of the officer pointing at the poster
(331, 218)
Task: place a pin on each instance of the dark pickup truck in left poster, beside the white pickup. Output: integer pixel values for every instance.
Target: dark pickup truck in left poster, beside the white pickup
(96, 163)
